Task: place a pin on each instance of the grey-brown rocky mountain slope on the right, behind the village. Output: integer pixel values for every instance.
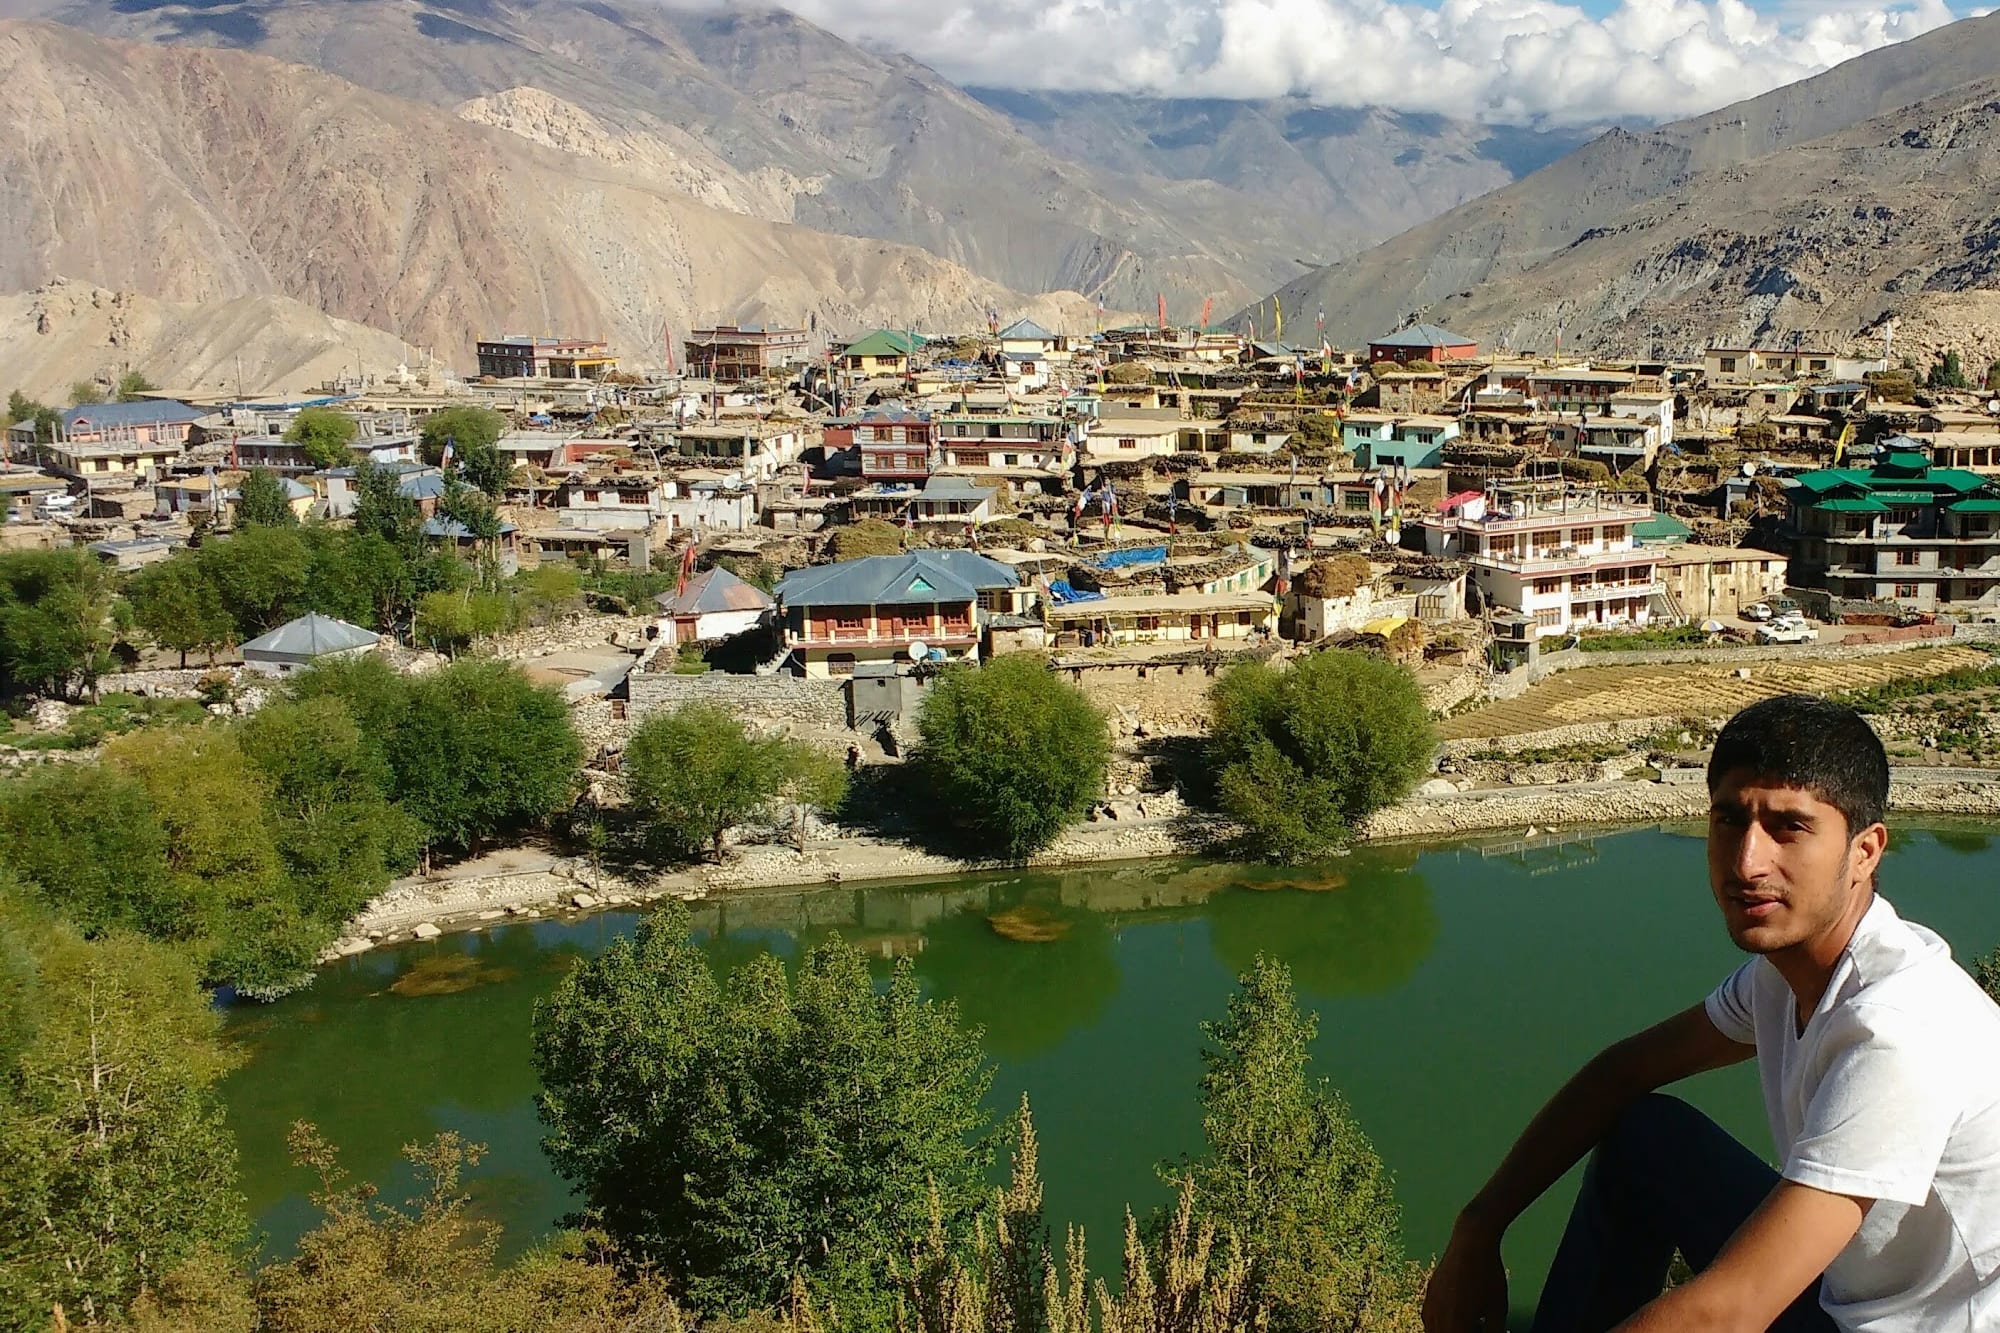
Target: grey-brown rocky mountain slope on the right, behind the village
(1653, 237)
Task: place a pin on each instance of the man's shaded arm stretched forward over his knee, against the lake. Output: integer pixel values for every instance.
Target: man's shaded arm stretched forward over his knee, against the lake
(1469, 1284)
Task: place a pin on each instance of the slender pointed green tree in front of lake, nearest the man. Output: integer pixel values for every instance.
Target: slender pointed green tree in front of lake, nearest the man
(1291, 1176)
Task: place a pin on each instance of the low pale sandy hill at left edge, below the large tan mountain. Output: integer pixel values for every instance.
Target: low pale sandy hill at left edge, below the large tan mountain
(69, 331)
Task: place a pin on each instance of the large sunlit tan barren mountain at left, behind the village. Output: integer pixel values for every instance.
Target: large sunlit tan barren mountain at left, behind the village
(205, 175)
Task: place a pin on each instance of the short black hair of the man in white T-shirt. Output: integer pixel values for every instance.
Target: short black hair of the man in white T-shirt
(1811, 744)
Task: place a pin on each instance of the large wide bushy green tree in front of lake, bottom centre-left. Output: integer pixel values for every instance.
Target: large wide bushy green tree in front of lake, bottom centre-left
(743, 1134)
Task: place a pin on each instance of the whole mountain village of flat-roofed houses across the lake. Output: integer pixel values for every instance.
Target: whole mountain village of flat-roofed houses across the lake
(831, 521)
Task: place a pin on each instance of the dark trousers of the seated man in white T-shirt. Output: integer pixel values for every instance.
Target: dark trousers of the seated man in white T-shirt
(1667, 1178)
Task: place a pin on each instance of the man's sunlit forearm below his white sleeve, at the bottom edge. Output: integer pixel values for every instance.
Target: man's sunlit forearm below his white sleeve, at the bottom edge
(1771, 1260)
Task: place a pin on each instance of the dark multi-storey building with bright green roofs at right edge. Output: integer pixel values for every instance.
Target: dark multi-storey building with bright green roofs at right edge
(1899, 531)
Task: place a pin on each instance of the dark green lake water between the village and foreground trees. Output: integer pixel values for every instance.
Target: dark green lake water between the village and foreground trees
(1457, 986)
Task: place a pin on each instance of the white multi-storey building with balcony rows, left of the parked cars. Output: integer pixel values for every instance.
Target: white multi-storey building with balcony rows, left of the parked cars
(1557, 557)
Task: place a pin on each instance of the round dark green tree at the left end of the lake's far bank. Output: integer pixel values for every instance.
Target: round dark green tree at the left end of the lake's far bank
(481, 752)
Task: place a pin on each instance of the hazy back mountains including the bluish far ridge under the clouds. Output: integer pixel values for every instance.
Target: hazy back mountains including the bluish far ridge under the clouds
(777, 119)
